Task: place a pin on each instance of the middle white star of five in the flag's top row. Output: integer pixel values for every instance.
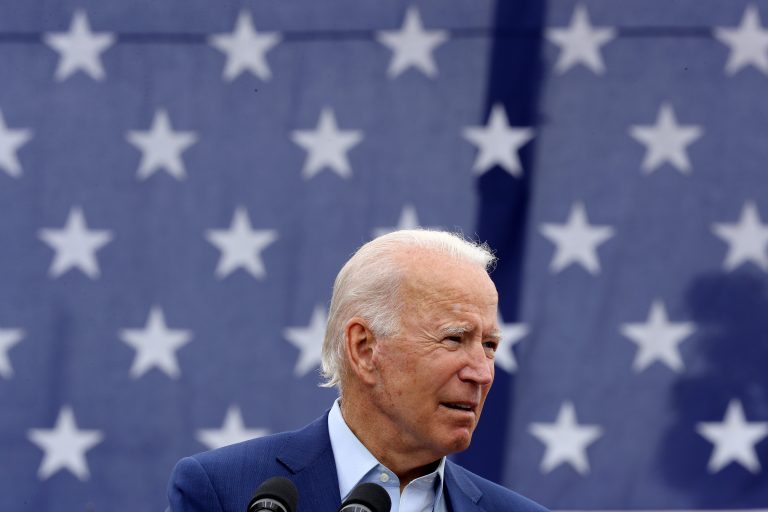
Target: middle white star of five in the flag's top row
(412, 45)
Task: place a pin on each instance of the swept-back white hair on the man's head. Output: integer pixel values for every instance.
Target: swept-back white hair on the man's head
(368, 286)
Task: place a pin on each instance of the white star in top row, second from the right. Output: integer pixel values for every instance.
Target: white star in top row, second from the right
(580, 43)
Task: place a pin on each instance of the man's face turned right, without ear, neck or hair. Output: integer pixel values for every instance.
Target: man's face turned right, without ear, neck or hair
(434, 375)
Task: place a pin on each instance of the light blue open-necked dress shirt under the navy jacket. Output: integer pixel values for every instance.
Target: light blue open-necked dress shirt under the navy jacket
(355, 464)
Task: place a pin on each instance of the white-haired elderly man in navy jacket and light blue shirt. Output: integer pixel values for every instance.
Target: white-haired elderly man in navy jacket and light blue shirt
(410, 343)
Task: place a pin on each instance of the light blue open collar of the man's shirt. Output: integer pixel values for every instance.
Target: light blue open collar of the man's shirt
(354, 461)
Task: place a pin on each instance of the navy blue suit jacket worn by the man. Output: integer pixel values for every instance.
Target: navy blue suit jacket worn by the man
(224, 480)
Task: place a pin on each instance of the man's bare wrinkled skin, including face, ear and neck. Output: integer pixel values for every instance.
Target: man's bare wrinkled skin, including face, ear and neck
(408, 389)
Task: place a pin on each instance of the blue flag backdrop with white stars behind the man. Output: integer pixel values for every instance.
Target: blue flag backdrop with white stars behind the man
(180, 181)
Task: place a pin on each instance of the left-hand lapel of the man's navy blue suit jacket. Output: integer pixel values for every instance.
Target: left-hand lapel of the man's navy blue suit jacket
(308, 455)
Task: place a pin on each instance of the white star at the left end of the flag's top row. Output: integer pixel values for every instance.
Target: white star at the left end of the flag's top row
(79, 49)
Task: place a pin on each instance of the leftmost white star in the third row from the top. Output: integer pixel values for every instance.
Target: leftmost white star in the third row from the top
(75, 245)
